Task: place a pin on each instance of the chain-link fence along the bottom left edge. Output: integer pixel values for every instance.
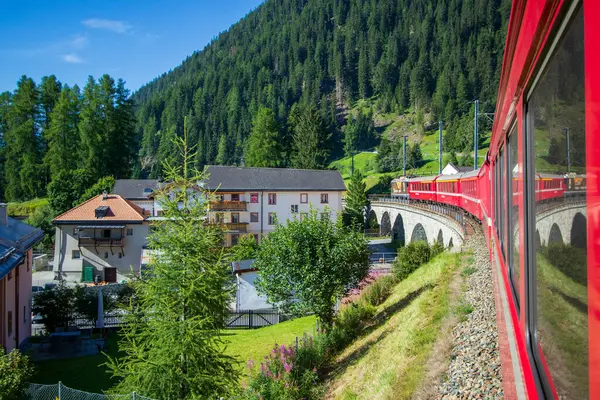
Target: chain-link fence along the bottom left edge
(61, 392)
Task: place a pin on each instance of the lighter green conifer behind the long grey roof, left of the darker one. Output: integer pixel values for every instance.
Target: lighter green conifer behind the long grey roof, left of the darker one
(263, 148)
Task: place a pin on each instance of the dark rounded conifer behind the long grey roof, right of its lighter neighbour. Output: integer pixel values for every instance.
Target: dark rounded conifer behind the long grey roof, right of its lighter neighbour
(311, 141)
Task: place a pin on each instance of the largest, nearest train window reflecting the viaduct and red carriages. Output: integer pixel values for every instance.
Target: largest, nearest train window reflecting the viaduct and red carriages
(557, 226)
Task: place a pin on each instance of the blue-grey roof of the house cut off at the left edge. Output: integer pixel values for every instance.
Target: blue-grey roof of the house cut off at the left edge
(15, 239)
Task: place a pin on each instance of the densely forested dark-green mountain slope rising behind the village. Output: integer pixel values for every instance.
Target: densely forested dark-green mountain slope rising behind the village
(426, 56)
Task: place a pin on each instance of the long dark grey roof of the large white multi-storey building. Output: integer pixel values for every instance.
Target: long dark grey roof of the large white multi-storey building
(224, 178)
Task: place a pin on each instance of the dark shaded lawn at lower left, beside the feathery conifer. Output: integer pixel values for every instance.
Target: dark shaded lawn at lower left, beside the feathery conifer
(83, 373)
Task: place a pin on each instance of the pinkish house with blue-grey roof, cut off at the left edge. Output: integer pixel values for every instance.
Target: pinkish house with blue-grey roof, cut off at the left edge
(17, 240)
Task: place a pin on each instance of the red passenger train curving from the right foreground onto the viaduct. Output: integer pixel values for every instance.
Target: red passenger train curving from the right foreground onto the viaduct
(544, 155)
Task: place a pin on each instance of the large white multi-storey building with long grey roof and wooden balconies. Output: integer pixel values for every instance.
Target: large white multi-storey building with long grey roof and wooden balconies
(253, 200)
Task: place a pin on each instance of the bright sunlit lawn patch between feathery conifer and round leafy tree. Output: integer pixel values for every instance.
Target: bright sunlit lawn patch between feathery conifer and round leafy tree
(256, 343)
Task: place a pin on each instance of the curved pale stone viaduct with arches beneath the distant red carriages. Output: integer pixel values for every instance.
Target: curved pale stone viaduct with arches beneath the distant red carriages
(407, 223)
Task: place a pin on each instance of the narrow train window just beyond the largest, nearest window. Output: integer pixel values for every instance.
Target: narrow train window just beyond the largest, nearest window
(514, 174)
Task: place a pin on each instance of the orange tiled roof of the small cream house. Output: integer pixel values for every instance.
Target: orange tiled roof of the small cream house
(119, 210)
